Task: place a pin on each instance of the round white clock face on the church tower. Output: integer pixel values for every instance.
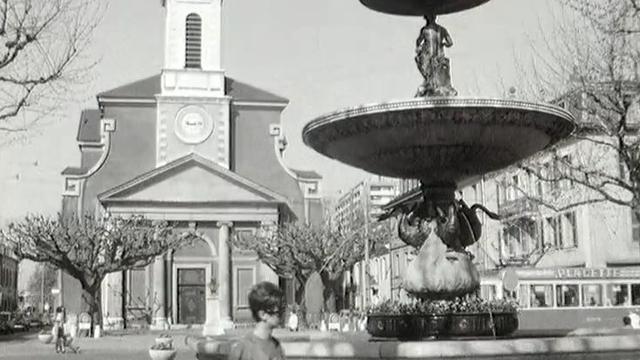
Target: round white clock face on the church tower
(193, 125)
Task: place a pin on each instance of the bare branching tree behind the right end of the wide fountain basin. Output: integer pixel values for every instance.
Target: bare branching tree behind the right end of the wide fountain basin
(589, 63)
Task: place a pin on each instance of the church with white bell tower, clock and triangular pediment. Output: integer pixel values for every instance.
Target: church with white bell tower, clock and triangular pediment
(198, 149)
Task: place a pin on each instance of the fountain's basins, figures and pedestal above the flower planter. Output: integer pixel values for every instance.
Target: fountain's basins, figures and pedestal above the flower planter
(445, 141)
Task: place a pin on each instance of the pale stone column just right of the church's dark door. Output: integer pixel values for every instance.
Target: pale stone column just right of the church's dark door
(224, 275)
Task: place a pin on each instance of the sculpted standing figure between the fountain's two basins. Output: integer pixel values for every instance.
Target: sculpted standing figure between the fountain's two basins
(430, 59)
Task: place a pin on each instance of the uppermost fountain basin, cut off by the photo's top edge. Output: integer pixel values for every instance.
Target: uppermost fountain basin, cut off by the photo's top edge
(421, 7)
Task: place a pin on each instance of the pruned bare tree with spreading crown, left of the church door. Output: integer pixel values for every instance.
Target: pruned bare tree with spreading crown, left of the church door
(88, 249)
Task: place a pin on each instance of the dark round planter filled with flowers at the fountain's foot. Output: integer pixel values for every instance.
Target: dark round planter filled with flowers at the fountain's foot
(431, 319)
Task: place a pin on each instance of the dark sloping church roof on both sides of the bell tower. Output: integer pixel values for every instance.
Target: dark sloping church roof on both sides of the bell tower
(149, 87)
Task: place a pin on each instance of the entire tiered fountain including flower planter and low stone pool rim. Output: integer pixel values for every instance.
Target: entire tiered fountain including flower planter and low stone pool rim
(447, 142)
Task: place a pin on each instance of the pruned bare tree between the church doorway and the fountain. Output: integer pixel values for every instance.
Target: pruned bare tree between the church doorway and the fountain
(298, 250)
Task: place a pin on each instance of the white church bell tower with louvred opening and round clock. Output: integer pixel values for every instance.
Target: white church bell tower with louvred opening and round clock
(193, 110)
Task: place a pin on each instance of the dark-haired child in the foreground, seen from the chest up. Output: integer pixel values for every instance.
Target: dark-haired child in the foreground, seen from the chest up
(267, 305)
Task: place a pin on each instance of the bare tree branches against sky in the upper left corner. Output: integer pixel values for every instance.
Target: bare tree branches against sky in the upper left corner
(42, 43)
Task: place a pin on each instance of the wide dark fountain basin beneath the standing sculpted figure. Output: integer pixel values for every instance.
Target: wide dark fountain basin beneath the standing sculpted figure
(438, 140)
